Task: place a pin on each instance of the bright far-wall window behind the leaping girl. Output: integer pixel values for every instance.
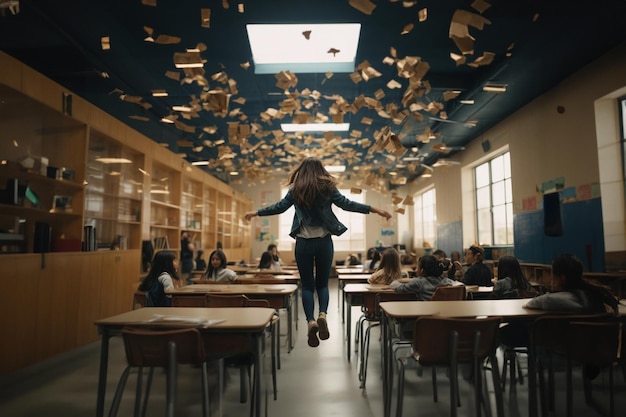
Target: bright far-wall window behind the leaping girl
(352, 240)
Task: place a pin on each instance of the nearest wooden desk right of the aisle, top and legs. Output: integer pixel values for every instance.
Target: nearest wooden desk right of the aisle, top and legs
(410, 310)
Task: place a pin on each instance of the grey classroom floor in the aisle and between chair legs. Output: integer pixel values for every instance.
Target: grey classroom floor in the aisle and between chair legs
(311, 383)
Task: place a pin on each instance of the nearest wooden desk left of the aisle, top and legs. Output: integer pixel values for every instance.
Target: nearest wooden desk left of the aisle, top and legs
(243, 324)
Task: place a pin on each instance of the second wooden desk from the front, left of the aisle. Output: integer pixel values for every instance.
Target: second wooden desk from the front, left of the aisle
(279, 296)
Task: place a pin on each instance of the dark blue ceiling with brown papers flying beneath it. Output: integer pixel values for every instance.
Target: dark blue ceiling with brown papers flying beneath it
(529, 45)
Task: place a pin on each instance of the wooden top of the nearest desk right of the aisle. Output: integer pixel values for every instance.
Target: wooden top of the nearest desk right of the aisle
(464, 308)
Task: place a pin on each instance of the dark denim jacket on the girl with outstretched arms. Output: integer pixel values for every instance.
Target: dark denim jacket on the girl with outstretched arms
(319, 215)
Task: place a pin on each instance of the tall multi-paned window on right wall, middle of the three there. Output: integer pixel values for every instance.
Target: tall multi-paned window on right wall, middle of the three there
(494, 201)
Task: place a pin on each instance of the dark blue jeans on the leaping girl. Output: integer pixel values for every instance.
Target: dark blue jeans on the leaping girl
(314, 258)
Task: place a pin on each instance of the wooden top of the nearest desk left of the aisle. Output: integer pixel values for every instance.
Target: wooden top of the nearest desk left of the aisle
(221, 318)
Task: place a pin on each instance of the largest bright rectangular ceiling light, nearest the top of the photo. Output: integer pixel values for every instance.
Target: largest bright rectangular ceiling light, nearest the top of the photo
(304, 48)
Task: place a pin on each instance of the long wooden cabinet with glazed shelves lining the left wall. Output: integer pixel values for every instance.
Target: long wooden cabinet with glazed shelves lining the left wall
(61, 173)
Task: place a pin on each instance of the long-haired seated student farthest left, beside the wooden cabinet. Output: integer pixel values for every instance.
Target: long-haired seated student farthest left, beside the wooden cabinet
(161, 278)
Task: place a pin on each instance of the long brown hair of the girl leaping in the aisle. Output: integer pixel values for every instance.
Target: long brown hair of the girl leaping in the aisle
(310, 183)
